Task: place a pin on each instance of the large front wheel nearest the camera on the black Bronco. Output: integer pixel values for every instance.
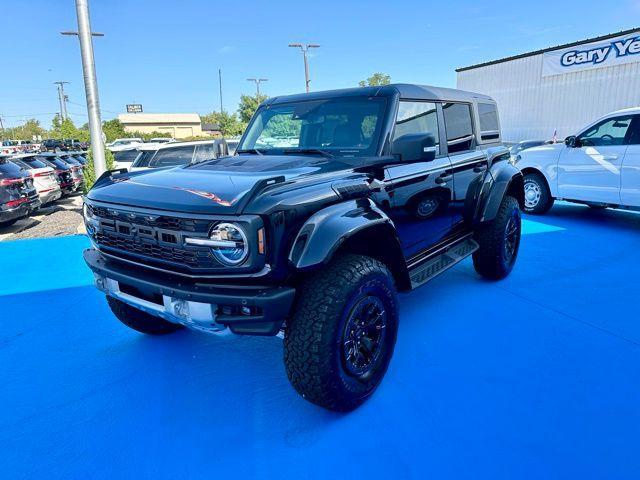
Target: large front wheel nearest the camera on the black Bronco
(340, 339)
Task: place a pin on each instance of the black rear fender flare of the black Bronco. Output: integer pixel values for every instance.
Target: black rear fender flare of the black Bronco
(502, 179)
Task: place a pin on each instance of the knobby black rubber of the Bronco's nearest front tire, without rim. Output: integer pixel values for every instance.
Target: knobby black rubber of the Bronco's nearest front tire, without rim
(308, 343)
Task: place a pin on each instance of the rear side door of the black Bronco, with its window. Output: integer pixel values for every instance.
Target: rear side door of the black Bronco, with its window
(468, 163)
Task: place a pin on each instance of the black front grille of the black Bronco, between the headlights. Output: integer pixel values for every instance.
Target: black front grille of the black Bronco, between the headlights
(154, 239)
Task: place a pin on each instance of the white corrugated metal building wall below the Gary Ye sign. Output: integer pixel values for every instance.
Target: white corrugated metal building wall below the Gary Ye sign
(532, 107)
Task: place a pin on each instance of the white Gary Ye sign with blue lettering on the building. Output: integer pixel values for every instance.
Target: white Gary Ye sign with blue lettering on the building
(614, 51)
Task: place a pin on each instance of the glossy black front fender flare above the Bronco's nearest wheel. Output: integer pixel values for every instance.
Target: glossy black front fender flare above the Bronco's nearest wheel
(322, 234)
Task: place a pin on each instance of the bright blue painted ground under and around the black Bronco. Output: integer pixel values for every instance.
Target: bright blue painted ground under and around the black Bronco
(537, 376)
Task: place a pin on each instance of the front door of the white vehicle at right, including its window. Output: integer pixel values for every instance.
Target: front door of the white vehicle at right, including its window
(592, 170)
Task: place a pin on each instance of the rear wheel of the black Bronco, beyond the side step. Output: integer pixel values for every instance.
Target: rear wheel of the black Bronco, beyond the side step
(499, 242)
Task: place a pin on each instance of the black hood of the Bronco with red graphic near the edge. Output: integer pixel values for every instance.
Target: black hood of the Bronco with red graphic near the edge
(216, 186)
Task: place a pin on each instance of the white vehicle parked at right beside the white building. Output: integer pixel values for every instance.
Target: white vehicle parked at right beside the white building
(599, 167)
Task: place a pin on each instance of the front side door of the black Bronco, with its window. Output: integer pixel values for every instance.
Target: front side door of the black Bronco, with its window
(420, 193)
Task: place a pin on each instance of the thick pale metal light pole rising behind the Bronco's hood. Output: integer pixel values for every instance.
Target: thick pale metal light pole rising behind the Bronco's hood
(90, 84)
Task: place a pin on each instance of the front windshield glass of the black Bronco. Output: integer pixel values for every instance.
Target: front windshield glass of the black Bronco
(340, 126)
